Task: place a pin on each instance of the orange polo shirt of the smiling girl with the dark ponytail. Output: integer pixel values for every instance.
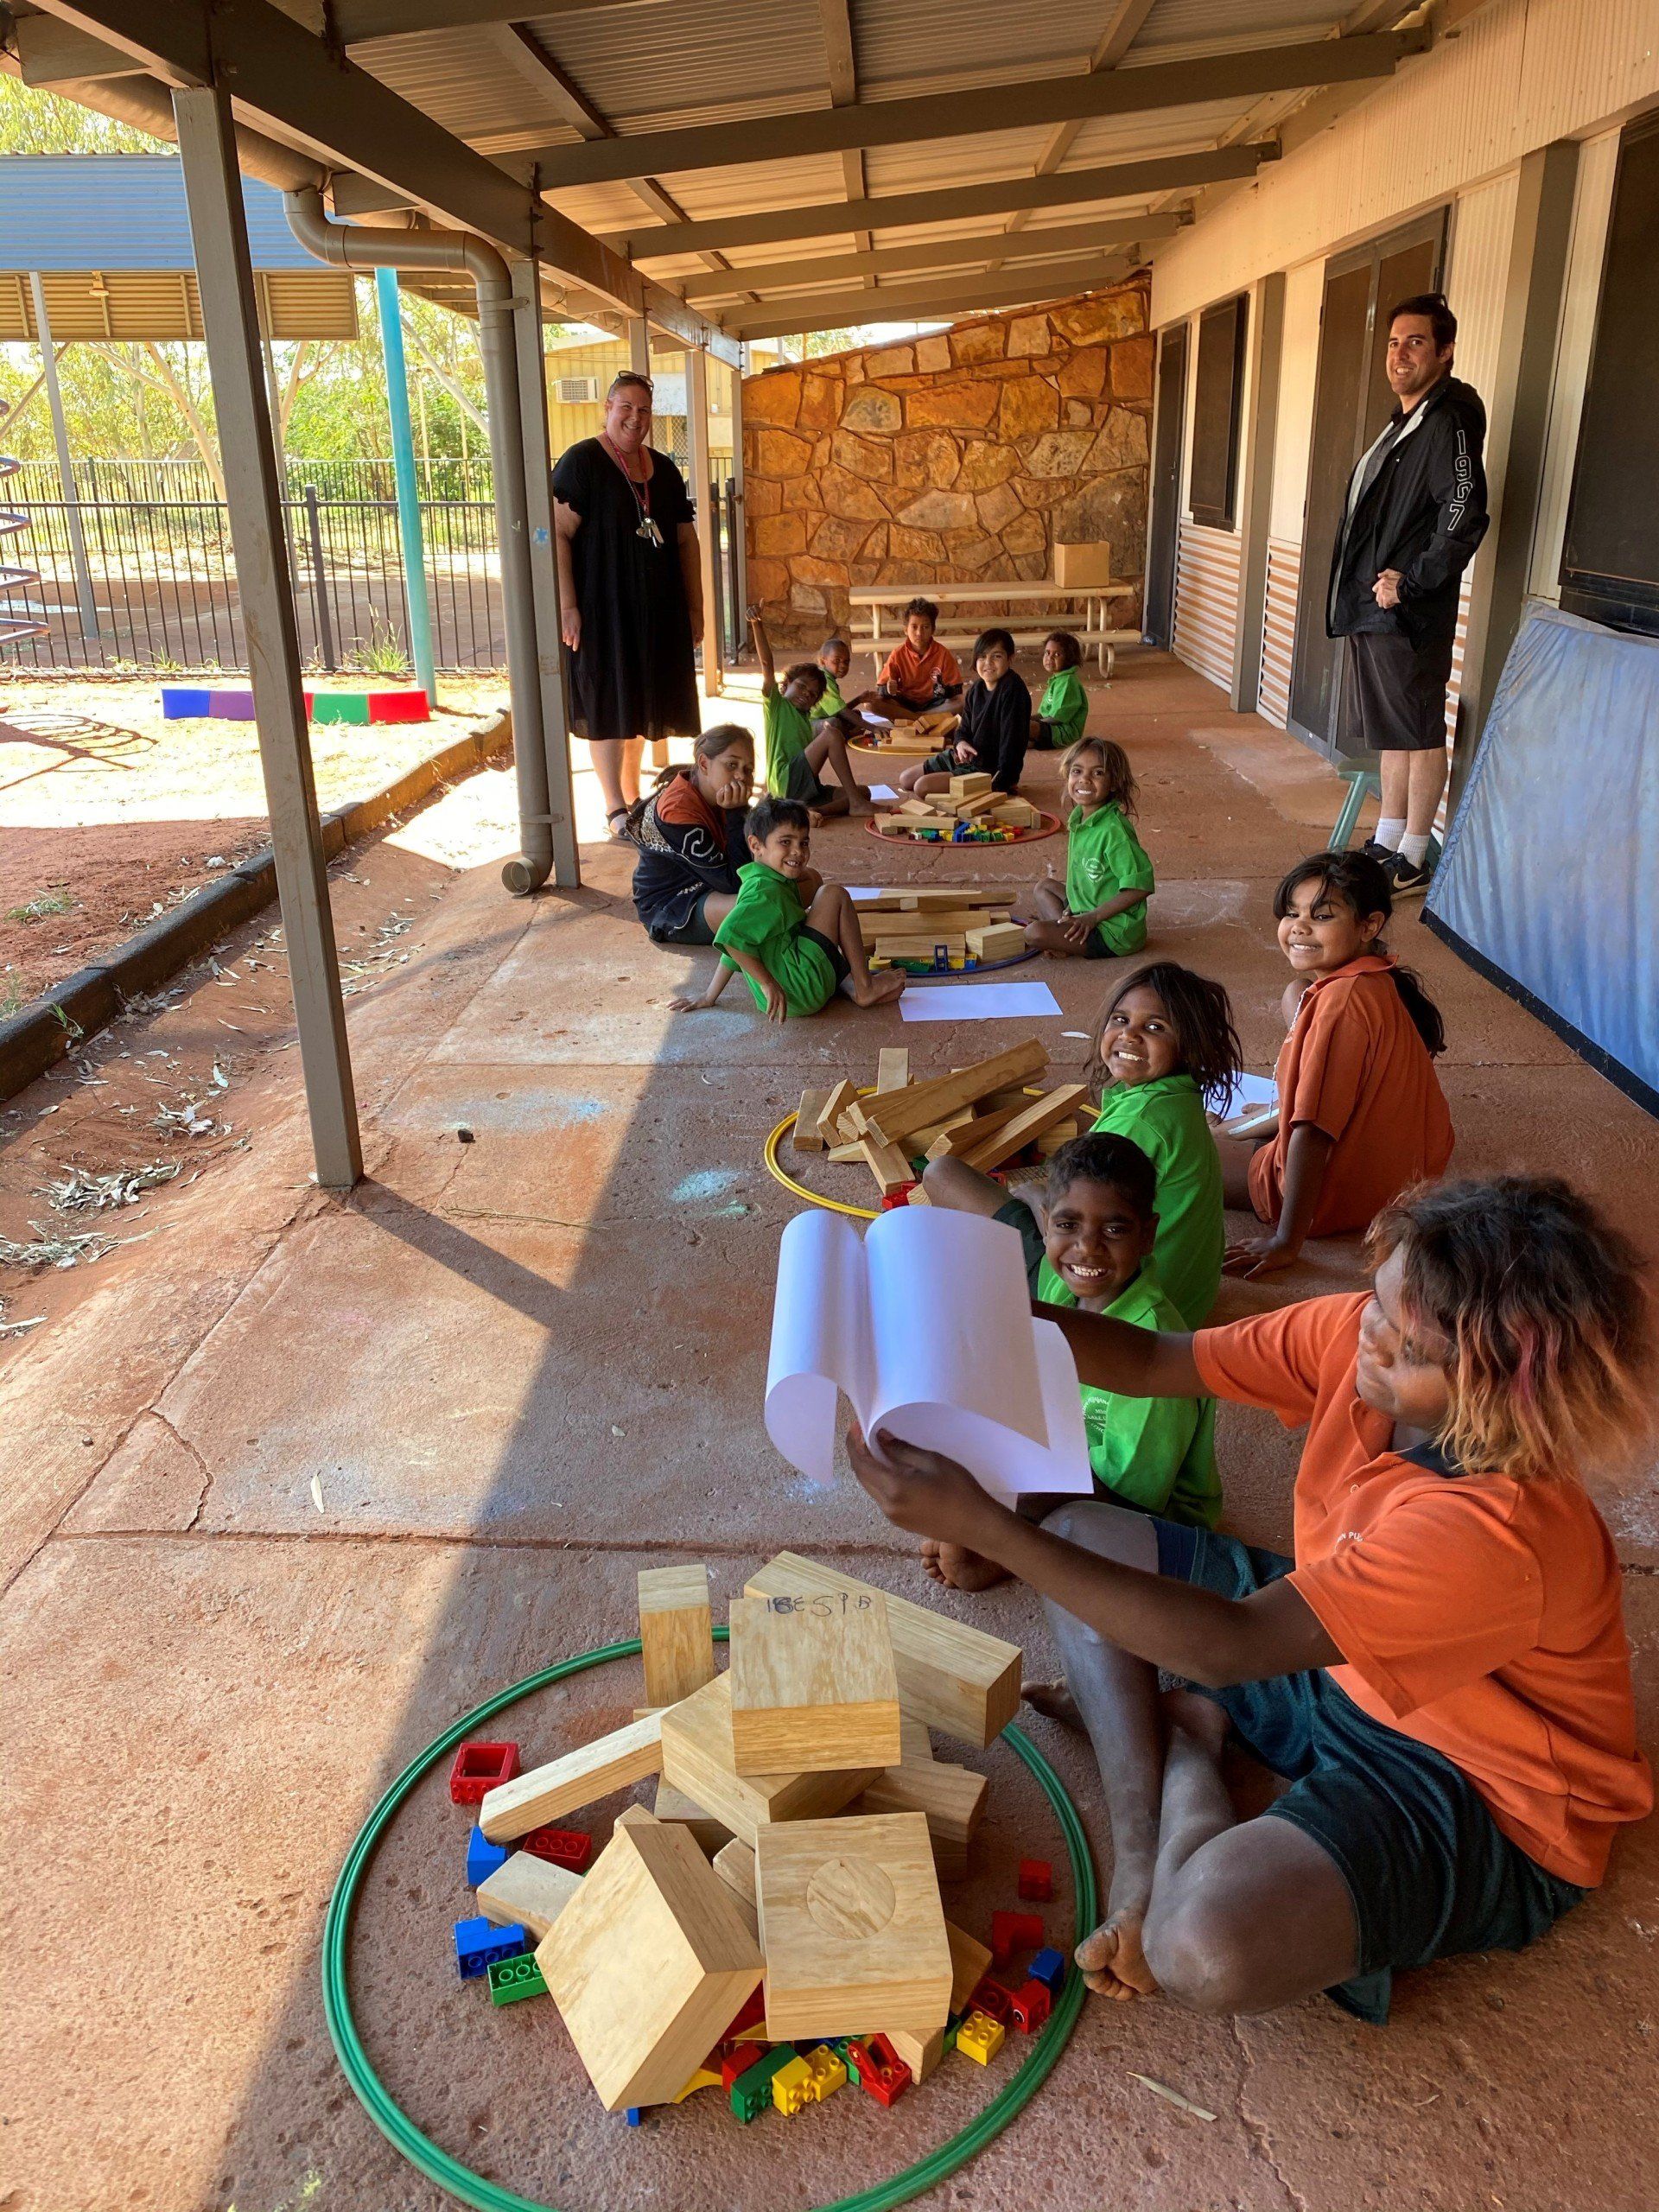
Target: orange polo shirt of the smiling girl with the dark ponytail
(1357, 1067)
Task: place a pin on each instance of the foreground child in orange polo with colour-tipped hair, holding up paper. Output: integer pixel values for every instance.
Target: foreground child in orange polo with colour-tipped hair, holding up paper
(1441, 1671)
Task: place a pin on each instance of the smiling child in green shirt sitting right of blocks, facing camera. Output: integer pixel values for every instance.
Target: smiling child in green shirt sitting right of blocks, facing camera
(1100, 910)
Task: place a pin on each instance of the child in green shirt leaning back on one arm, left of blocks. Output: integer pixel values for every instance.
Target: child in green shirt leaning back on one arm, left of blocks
(793, 935)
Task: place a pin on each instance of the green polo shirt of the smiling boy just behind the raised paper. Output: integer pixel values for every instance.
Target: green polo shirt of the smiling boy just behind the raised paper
(1156, 1454)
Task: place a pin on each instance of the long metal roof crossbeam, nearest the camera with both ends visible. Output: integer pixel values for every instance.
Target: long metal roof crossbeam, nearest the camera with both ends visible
(1001, 107)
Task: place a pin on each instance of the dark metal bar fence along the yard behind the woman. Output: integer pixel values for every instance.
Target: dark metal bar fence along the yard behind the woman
(165, 576)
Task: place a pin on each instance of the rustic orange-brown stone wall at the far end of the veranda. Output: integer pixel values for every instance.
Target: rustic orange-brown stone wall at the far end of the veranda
(954, 459)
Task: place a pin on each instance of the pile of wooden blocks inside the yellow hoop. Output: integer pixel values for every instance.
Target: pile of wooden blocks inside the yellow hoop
(983, 1116)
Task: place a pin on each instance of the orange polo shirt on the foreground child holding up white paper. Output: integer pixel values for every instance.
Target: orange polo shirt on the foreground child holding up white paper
(1474, 1614)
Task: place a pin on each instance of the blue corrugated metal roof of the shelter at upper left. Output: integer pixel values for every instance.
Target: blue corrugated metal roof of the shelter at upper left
(123, 213)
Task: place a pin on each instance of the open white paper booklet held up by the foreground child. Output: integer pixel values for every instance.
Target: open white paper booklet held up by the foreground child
(926, 1324)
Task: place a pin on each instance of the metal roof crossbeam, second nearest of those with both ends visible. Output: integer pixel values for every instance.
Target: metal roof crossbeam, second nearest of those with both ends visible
(904, 211)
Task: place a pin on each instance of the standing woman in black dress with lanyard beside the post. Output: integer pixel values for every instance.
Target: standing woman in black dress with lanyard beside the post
(632, 596)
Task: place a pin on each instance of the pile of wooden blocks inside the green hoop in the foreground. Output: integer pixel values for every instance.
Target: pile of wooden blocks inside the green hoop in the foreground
(797, 1844)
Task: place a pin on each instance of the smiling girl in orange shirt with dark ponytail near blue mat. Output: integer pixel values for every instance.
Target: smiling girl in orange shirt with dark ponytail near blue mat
(1361, 1112)
